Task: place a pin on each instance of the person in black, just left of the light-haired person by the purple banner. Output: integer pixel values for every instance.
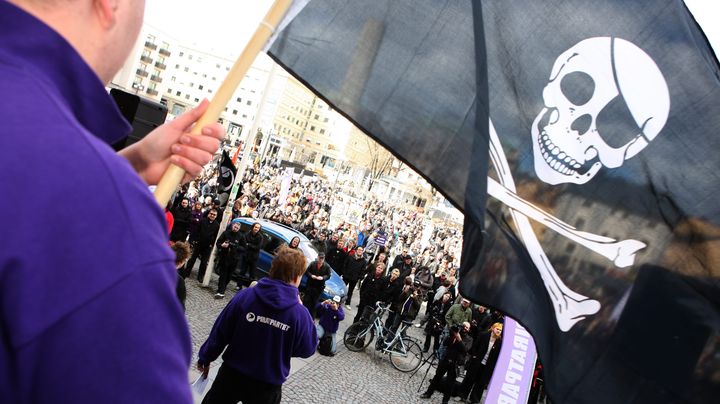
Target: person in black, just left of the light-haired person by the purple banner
(455, 352)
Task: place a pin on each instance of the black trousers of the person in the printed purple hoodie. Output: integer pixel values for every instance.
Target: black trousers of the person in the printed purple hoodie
(231, 386)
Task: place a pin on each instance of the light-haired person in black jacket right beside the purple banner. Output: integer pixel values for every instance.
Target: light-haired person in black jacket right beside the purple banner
(483, 356)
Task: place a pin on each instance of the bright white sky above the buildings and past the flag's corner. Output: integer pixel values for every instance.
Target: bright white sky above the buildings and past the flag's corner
(225, 26)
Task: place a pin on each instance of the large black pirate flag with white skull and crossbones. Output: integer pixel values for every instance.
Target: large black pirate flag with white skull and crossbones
(600, 122)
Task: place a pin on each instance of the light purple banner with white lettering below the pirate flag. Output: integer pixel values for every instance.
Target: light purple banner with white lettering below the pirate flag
(510, 383)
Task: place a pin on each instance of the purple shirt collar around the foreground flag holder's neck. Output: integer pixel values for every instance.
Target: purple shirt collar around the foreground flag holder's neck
(33, 46)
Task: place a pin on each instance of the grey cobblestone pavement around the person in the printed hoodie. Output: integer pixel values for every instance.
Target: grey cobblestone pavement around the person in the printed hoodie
(348, 377)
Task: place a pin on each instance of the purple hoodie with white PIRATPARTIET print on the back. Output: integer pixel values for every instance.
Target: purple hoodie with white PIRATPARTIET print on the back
(262, 327)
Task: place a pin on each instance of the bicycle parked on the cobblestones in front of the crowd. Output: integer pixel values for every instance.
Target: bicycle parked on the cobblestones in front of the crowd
(405, 353)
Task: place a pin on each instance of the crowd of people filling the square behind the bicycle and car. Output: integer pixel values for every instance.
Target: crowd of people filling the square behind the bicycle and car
(383, 257)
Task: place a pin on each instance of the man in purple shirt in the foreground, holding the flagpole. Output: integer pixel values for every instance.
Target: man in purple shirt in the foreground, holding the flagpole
(88, 311)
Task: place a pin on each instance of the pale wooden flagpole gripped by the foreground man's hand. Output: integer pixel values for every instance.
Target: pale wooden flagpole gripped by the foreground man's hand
(174, 175)
